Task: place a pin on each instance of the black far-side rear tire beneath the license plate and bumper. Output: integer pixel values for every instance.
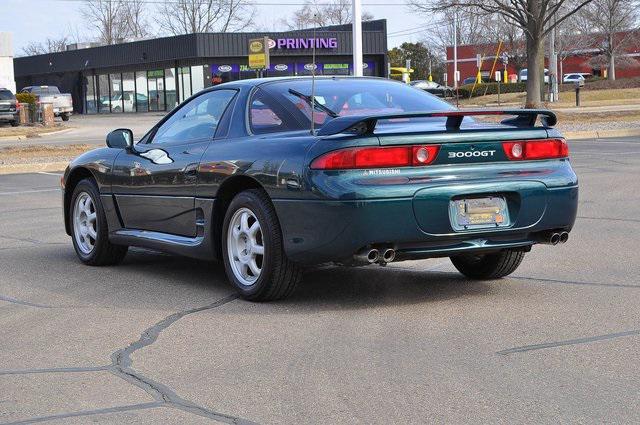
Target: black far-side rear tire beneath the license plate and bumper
(488, 266)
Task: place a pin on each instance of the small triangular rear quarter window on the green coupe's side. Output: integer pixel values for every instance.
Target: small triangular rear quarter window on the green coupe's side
(267, 117)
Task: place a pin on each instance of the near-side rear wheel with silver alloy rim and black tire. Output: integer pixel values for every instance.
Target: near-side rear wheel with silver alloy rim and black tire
(252, 249)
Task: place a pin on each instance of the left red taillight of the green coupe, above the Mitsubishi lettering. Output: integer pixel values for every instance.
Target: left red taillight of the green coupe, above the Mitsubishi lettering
(396, 156)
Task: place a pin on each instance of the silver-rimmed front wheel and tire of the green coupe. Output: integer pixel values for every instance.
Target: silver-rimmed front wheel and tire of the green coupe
(88, 224)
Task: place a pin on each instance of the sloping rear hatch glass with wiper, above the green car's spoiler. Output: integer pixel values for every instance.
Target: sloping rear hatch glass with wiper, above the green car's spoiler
(349, 96)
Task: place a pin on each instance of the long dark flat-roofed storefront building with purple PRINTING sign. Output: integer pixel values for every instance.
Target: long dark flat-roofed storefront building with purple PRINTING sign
(157, 74)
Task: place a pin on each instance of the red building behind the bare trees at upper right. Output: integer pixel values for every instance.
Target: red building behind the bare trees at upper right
(579, 56)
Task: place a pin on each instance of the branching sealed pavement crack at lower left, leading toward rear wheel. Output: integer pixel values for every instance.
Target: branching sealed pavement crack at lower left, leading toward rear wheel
(121, 366)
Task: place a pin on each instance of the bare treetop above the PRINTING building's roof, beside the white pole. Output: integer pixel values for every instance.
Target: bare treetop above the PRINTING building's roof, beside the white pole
(335, 12)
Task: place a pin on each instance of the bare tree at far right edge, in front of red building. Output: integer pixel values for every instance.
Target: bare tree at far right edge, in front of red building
(613, 25)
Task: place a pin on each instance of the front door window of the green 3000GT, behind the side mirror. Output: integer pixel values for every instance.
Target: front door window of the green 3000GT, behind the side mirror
(196, 120)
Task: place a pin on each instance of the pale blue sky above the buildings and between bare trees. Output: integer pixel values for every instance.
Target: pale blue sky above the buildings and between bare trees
(35, 20)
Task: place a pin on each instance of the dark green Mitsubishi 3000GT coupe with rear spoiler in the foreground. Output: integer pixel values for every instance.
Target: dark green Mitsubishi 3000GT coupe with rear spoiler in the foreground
(268, 178)
